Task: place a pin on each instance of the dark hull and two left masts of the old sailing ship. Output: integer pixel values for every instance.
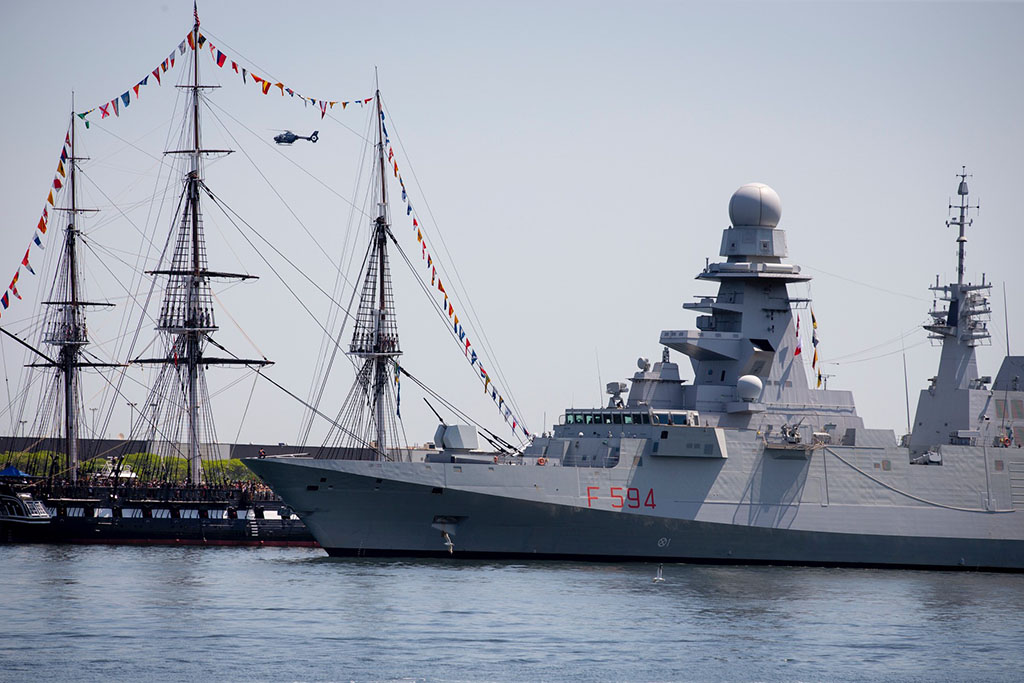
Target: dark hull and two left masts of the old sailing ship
(166, 482)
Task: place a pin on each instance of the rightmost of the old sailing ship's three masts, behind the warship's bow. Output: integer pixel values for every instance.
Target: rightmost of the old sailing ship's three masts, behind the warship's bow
(375, 337)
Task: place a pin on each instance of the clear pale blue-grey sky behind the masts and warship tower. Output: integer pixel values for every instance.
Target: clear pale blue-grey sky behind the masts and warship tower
(577, 160)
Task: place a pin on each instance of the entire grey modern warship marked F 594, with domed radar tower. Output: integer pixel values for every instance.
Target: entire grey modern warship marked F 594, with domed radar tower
(747, 463)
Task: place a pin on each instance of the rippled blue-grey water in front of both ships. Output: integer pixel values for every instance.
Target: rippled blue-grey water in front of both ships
(101, 614)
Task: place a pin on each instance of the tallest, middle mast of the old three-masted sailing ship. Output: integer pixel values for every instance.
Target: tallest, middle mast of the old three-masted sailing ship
(187, 316)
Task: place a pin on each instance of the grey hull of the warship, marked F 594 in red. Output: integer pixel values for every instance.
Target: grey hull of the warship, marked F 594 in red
(784, 511)
